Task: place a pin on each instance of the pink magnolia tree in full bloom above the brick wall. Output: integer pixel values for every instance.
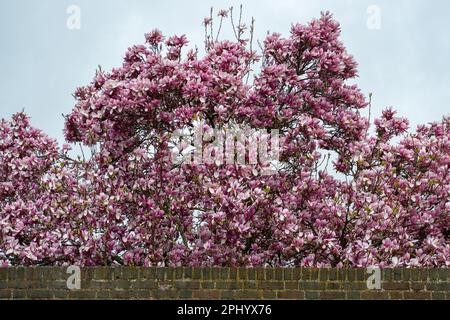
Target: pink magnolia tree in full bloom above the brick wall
(132, 202)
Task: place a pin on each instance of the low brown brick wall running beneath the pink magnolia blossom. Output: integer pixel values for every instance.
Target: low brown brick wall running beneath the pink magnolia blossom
(222, 283)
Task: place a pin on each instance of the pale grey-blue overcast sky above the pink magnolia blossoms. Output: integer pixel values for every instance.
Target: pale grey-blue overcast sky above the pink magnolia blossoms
(405, 63)
